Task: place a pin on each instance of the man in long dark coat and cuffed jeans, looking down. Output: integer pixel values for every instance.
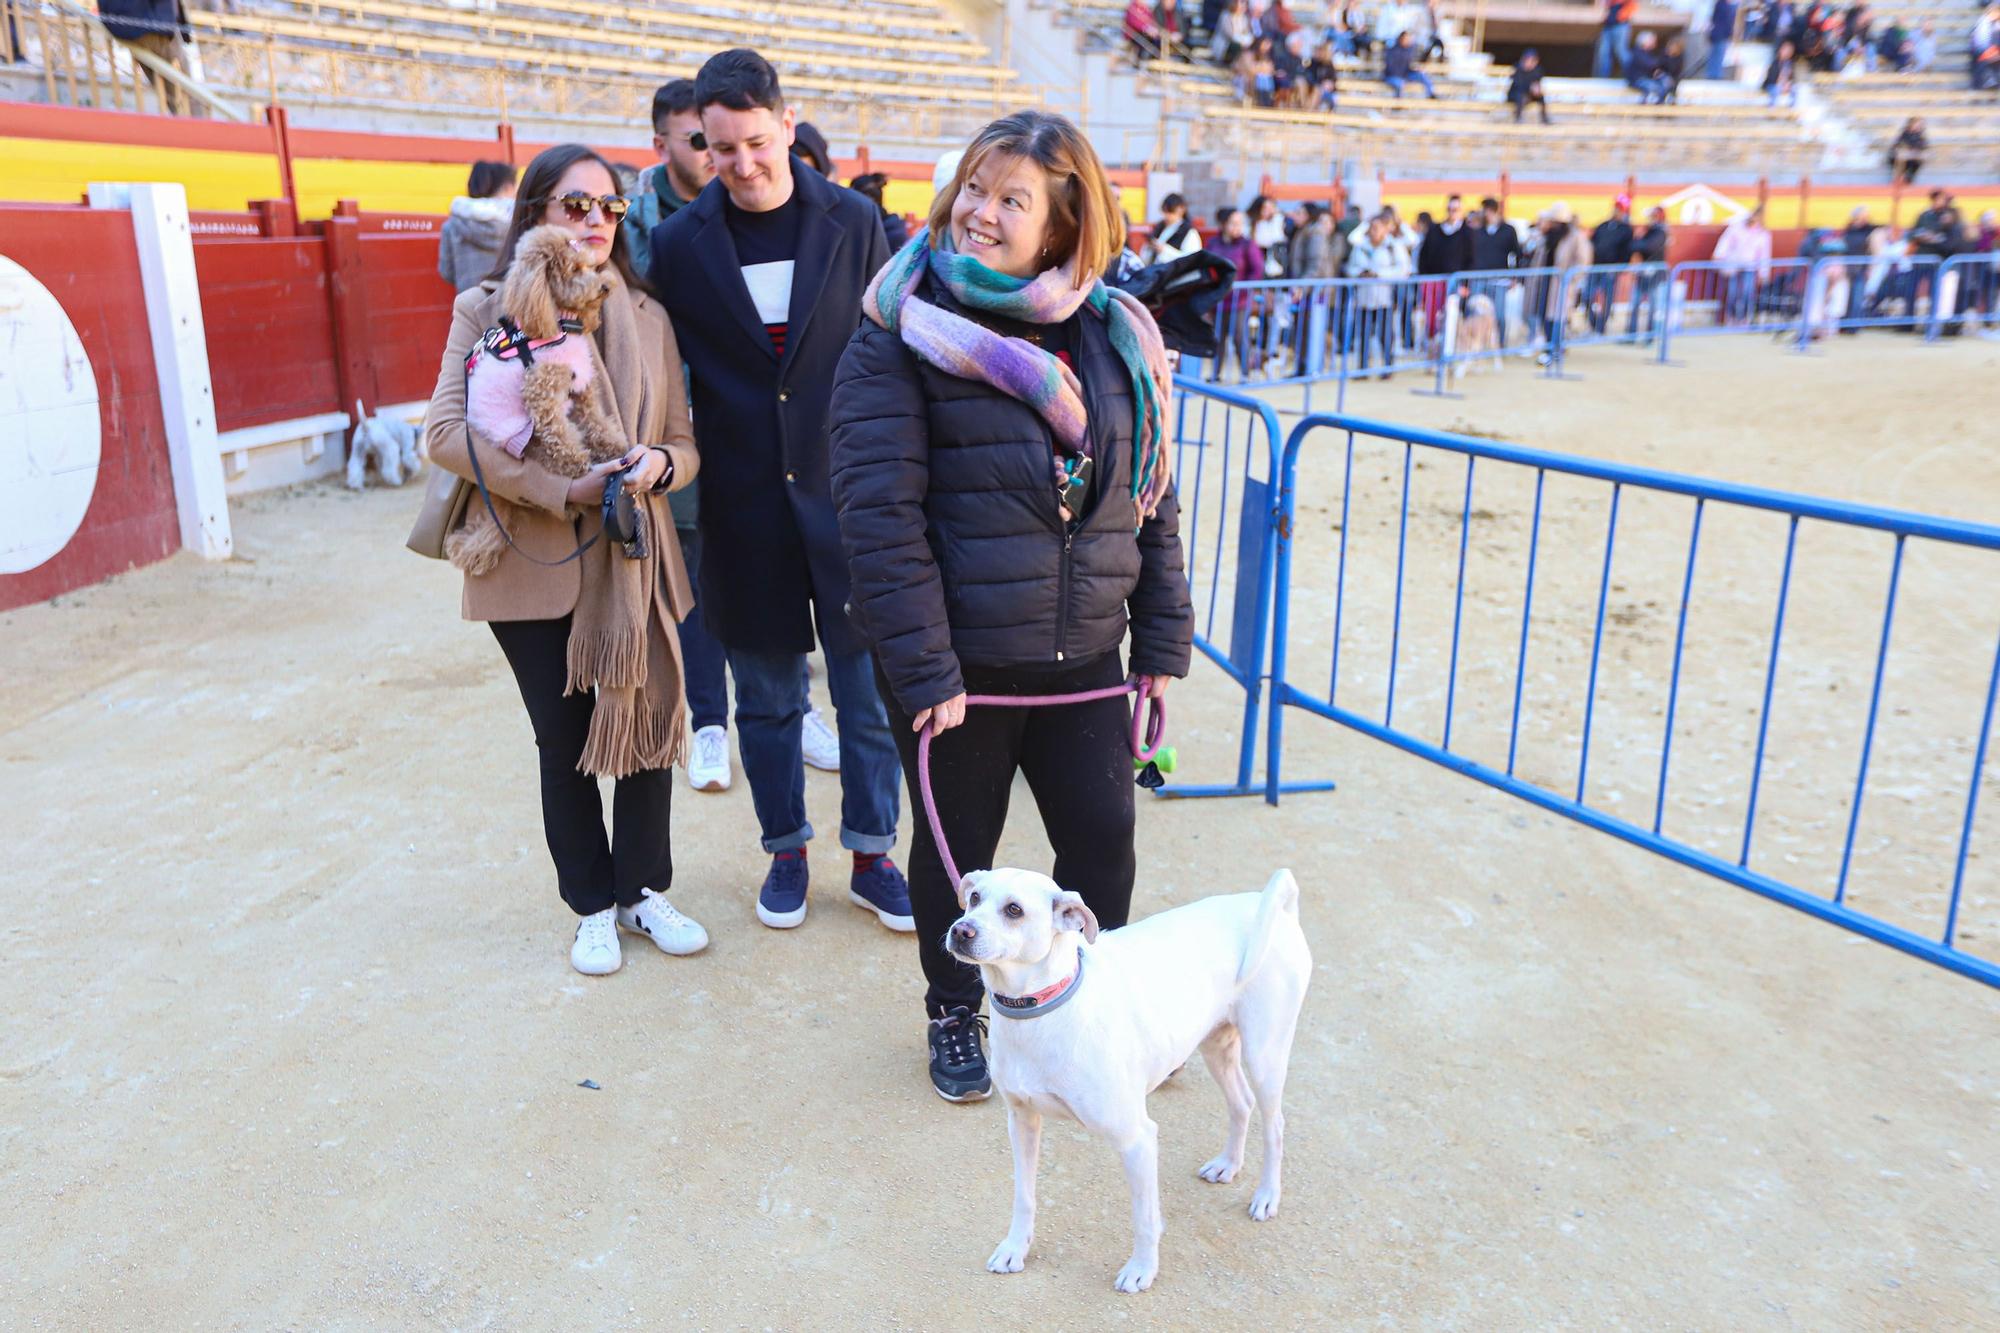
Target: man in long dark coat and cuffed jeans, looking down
(765, 275)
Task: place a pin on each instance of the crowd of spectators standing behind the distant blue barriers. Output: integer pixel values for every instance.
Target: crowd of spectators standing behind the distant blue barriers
(1525, 277)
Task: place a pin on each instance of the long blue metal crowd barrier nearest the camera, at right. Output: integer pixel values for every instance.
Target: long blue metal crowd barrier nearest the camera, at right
(1621, 479)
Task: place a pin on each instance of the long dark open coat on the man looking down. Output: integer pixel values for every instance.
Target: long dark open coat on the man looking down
(771, 547)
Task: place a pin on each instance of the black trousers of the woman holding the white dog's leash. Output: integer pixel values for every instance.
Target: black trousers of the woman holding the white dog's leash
(1079, 766)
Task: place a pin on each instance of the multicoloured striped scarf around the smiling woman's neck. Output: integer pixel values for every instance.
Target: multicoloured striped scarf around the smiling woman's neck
(1017, 367)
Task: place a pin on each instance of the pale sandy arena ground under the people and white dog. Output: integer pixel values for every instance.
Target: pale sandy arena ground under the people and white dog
(309, 1052)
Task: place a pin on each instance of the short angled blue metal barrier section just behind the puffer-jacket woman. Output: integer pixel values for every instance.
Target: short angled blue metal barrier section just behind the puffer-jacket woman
(1227, 449)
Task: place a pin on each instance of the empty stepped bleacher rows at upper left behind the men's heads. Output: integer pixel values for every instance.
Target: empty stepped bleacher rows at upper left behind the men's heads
(907, 67)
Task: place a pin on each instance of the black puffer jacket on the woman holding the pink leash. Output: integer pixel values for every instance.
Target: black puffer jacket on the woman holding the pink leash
(955, 543)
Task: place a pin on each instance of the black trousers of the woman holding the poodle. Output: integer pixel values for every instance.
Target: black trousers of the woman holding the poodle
(591, 870)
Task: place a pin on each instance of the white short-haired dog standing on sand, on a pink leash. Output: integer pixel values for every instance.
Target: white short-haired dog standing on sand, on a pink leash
(1089, 1026)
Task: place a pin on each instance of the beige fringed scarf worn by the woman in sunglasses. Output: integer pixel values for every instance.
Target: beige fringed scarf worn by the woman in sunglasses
(623, 639)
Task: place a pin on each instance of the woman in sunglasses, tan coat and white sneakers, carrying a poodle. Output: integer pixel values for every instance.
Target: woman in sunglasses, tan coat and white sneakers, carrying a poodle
(561, 621)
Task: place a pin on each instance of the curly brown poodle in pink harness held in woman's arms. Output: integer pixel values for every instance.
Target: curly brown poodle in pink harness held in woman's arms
(557, 401)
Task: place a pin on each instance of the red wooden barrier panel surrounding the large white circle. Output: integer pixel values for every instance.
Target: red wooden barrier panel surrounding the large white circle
(131, 515)
